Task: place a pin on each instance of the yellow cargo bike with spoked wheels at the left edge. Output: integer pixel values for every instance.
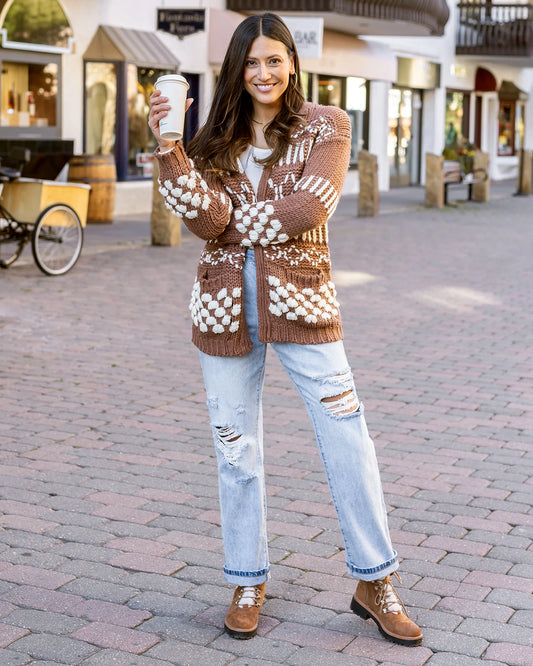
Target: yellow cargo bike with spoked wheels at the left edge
(55, 232)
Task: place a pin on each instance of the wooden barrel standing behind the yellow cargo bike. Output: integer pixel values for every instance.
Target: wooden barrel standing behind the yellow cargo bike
(99, 172)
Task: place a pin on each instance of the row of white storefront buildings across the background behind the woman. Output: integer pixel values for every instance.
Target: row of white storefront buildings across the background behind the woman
(415, 76)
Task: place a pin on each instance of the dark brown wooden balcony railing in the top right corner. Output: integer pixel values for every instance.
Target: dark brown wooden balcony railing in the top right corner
(486, 28)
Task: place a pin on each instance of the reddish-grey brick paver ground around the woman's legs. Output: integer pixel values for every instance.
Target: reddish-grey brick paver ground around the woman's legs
(110, 549)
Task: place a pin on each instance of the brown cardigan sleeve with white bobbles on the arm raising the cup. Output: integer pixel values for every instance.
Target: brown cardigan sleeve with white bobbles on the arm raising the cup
(204, 210)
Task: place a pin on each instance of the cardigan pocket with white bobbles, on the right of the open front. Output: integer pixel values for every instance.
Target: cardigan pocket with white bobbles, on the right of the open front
(307, 299)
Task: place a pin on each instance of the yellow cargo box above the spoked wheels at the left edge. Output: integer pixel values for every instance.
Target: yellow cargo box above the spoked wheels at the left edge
(26, 198)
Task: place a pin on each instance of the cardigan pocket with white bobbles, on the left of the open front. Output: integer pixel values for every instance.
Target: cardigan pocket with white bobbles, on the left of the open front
(215, 308)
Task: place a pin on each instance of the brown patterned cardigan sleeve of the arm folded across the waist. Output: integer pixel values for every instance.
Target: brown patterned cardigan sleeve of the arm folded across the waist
(314, 196)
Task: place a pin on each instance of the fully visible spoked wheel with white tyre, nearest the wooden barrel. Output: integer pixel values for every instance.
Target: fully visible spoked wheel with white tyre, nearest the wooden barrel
(57, 239)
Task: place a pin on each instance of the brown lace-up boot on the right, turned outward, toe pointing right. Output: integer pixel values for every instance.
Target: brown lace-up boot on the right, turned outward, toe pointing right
(377, 599)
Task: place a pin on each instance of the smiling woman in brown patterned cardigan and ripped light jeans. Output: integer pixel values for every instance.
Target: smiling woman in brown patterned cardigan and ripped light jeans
(258, 183)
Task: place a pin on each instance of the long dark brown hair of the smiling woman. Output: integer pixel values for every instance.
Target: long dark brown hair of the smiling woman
(228, 128)
